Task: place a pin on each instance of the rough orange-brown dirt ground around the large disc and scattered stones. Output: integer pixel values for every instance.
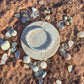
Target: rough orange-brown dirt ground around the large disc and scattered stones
(13, 71)
